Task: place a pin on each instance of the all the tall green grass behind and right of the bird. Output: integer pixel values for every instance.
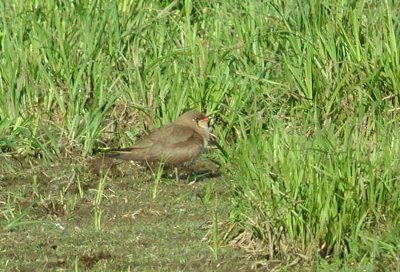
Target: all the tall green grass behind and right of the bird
(305, 96)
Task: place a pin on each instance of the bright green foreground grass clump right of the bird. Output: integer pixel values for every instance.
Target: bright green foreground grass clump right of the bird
(318, 195)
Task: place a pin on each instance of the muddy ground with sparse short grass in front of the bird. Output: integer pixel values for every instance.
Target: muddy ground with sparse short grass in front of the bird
(80, 215)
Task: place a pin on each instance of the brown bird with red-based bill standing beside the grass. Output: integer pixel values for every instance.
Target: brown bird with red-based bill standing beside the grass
(177, 144)
